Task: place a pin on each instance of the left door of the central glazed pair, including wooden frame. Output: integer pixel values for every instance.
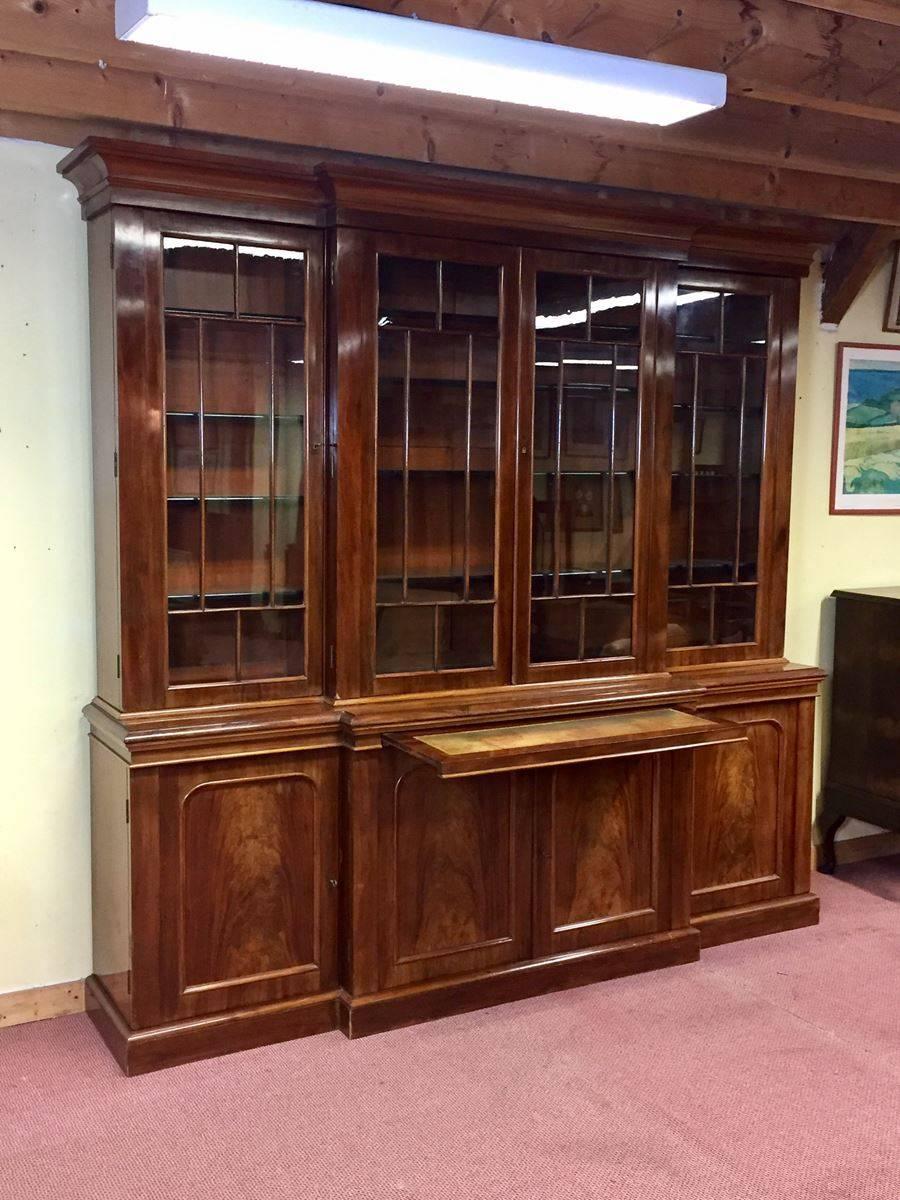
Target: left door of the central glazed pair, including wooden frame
(425, 343)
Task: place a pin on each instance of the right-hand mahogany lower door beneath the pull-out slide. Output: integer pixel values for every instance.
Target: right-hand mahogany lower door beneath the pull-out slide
(598, 854)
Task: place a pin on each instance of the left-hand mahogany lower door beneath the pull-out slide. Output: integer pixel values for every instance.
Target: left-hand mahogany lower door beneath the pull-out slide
(457, 873)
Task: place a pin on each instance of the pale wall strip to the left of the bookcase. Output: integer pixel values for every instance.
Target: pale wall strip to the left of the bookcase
(46, 574)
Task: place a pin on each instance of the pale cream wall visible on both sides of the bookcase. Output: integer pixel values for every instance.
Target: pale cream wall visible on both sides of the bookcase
(46, 598)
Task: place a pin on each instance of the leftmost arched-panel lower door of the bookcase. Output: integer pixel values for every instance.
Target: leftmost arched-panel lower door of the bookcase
(236, 884)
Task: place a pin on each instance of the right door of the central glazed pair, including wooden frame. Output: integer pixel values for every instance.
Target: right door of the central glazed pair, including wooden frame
(587, 386)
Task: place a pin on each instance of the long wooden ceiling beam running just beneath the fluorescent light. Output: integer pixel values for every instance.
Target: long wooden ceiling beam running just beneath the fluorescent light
(365, 119)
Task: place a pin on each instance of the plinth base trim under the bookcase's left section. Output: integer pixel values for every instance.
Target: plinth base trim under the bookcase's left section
(139, 1052)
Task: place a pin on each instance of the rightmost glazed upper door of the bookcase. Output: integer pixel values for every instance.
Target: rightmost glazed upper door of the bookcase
(733, 418)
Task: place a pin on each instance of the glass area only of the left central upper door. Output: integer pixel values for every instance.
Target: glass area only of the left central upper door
(436, 465)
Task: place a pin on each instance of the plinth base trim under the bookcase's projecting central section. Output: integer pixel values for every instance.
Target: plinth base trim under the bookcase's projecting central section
(362, 1016)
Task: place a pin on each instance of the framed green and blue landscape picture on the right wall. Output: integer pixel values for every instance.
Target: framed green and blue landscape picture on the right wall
(866, 451)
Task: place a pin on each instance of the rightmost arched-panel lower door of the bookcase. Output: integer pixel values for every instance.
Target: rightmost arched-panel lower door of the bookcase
(742, 827)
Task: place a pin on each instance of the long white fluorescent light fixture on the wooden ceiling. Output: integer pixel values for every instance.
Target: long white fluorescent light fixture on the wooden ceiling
(357, 44)
